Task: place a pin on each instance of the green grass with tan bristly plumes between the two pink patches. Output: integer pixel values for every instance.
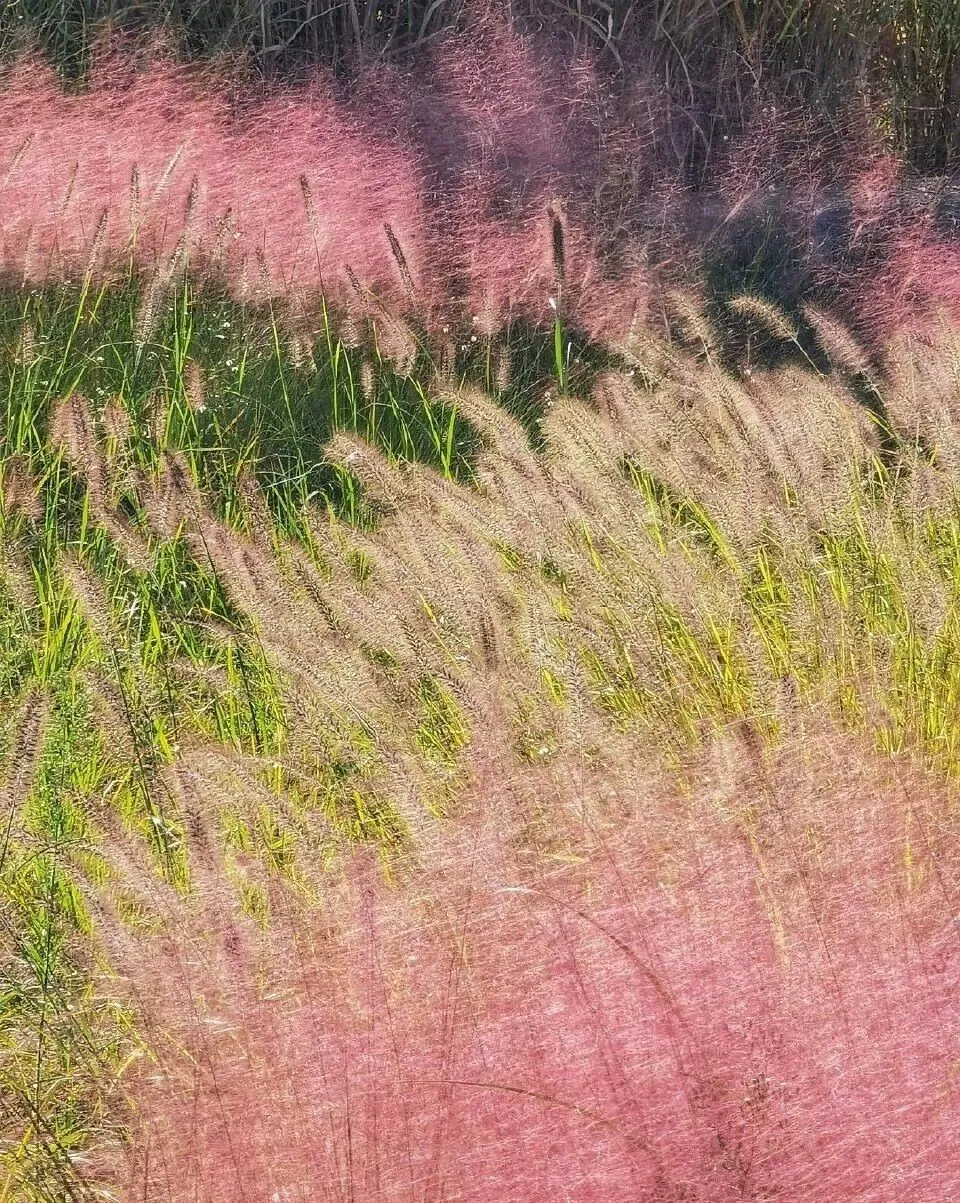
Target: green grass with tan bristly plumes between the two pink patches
(269, 606)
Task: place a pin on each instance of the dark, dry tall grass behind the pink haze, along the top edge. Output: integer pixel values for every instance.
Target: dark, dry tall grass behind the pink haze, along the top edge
(714, 62)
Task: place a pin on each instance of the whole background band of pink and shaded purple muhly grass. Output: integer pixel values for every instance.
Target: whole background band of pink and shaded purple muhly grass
(440, 191)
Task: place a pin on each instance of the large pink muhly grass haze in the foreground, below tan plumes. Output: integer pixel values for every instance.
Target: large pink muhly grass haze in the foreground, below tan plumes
(749, 993)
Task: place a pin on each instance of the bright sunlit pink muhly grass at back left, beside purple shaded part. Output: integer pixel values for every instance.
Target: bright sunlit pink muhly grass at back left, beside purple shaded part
(165, 161)
